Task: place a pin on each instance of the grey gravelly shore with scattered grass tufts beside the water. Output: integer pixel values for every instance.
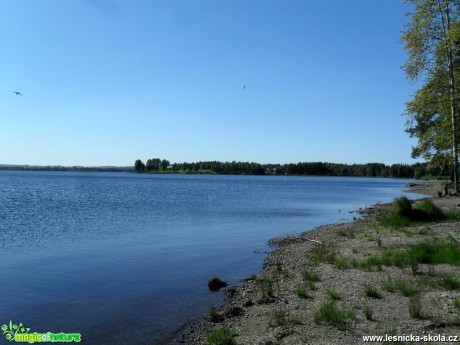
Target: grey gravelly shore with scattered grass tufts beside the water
(281, 305)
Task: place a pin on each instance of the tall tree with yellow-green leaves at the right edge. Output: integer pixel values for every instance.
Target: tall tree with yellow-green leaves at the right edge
(431, 39)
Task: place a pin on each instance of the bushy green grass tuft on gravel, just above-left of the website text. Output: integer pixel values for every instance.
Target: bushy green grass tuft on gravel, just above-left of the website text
(328, 312)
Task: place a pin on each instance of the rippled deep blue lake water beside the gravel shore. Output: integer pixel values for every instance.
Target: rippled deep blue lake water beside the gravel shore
(125, 258)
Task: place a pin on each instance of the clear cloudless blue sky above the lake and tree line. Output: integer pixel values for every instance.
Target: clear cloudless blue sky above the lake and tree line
(105, 82)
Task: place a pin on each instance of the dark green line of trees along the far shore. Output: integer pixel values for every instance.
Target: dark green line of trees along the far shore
(157, 165)
